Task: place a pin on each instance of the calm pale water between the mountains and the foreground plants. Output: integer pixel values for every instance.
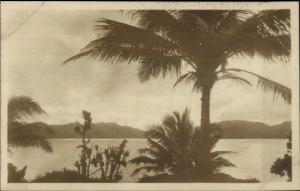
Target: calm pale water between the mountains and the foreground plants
(253, 159)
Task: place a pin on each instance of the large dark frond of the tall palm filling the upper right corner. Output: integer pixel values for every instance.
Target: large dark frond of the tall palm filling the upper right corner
(266, 33)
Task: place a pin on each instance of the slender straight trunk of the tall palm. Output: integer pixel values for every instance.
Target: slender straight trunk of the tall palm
(205, 128)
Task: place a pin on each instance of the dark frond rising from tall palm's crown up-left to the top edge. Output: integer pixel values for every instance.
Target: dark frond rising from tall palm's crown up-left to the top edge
(182, 28)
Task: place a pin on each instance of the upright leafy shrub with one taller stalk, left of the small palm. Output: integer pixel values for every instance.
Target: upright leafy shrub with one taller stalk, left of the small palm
(106, 163)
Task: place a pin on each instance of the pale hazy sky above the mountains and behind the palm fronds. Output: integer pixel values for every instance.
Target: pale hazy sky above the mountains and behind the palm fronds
(37, 39)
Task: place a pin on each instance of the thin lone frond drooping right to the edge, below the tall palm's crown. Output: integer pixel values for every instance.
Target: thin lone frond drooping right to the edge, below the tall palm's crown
(270, 86)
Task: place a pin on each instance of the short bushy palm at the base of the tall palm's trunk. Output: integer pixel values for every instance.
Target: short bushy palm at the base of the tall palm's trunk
(174, 150)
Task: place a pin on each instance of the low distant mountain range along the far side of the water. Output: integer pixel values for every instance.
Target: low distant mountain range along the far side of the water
(236, 129)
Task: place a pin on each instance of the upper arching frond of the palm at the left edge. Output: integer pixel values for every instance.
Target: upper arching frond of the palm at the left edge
(22, 106)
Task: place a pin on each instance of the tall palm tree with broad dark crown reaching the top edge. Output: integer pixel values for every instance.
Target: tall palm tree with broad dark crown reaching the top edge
(160, 42)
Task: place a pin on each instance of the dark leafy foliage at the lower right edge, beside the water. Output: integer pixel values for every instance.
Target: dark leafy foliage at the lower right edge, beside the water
(283, 166)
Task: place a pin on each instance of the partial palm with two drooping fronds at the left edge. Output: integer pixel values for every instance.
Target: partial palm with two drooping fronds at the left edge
(23, 134)
